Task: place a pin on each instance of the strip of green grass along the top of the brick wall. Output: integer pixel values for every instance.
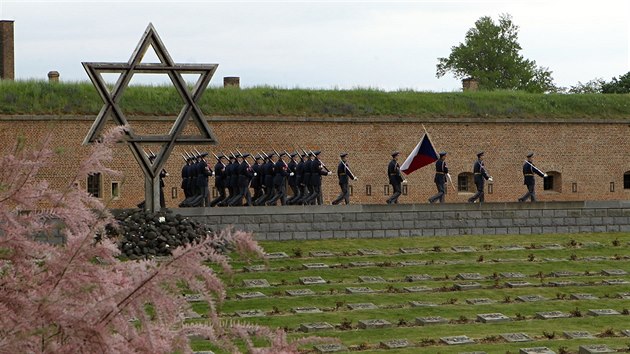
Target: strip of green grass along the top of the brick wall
(39, 97)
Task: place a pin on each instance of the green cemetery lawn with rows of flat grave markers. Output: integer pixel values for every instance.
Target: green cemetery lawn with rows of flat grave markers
(456, 278)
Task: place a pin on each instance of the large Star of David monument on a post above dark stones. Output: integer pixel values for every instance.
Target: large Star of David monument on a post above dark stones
(190, 110)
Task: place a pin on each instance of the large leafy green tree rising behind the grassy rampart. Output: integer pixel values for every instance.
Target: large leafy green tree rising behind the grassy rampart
(490, 54)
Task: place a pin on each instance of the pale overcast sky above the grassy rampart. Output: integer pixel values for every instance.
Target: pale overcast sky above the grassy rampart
(387, 45)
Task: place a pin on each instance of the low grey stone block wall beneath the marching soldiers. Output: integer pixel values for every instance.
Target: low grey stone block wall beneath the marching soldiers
(409, 220)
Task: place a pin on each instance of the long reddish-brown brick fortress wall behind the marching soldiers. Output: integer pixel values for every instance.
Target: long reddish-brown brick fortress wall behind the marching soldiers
(589, 157)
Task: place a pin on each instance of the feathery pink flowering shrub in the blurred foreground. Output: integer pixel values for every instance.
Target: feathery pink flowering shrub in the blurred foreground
(79, 297)
